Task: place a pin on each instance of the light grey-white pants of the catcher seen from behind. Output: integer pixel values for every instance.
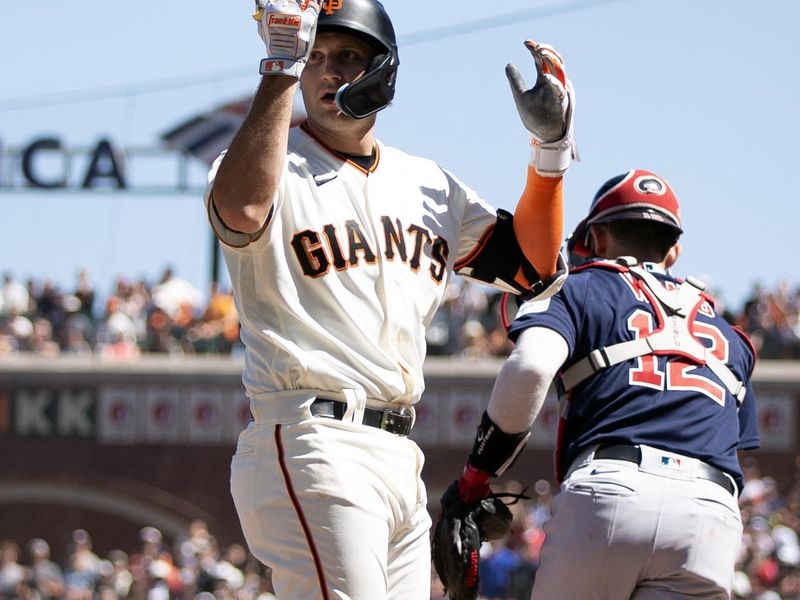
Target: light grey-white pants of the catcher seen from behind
(653, 531)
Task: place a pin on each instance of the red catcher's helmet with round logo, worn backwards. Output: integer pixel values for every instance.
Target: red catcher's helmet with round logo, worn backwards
(635, 195)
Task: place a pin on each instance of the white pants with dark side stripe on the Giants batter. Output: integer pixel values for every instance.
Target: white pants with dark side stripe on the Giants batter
(337, 509)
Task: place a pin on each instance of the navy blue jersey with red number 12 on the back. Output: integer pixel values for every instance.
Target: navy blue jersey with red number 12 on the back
(663, 401)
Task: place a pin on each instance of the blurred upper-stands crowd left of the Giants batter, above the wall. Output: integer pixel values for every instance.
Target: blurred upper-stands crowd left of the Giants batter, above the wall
(169, 316)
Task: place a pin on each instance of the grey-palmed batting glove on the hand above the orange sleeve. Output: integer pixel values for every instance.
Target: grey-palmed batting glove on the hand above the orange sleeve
(546, 110)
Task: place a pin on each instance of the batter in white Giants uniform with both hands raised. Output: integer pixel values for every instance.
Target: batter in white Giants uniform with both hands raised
(339, 250)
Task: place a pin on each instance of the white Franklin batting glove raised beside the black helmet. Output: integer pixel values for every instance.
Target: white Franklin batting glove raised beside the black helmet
(287, 28)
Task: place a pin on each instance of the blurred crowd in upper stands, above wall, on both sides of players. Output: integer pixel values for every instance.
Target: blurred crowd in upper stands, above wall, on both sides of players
(171, 316)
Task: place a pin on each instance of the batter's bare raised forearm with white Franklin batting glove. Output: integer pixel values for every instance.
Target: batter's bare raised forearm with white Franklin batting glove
(247, 179)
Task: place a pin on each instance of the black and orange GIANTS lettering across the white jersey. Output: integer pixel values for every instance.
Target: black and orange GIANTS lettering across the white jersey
(316, 253)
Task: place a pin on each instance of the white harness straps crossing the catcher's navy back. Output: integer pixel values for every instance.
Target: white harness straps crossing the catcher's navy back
(673, 309)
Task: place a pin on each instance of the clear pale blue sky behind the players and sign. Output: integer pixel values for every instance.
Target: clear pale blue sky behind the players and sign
(703, 92)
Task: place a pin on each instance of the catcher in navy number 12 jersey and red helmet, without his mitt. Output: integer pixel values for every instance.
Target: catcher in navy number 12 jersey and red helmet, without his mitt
(655, 402)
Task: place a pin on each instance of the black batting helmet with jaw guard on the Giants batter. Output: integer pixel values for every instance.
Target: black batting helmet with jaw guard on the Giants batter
(368, 20)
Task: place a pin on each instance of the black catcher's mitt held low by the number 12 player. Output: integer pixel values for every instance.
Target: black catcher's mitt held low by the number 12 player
(457, 539)
